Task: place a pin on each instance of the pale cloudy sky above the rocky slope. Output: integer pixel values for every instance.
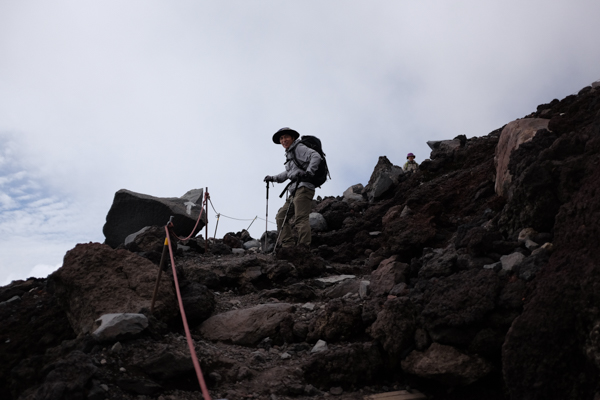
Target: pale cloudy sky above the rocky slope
(162, 97)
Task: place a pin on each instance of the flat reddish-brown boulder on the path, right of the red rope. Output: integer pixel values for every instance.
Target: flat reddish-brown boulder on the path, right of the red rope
(246, 327)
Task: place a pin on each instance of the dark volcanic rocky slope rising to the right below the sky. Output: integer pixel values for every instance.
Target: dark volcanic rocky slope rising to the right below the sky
(475, 277)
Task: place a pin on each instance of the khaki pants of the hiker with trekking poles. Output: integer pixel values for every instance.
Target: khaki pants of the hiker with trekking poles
(299, 211)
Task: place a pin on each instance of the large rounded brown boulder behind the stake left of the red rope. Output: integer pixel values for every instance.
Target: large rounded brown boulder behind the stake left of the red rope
(96, 280)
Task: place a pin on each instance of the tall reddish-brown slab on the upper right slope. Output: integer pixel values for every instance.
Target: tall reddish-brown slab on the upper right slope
(513, 135)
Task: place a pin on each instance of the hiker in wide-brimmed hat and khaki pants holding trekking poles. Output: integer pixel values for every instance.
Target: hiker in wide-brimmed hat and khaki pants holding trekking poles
(301, 163)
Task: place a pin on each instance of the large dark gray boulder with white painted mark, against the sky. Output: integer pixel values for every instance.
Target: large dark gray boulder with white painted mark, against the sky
(131, 212)
